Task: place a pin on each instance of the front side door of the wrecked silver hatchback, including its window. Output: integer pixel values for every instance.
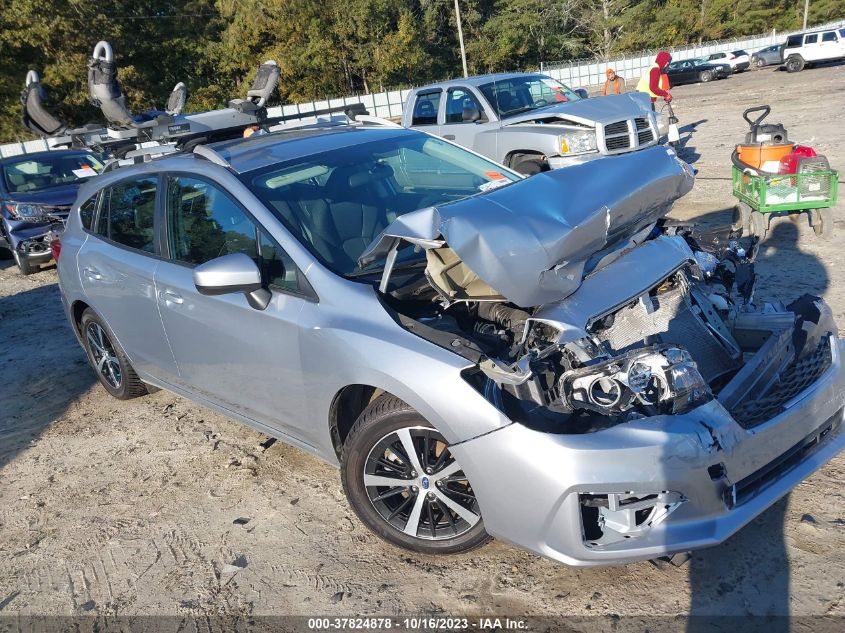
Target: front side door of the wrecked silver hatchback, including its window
(243, 359)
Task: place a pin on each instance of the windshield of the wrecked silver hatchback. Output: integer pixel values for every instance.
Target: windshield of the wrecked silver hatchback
(337, 202)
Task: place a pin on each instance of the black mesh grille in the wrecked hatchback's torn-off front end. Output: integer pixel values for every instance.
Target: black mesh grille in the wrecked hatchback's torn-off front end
(793, 380)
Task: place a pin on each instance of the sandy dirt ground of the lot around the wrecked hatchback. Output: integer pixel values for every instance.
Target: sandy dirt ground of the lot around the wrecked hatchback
(111, 507)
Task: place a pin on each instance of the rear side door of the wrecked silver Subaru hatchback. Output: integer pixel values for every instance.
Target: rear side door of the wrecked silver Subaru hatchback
(117, 265)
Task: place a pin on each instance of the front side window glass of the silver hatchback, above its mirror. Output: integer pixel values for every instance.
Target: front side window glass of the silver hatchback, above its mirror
(203, 223)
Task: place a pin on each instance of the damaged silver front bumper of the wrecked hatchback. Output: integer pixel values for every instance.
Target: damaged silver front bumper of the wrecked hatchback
(653, 486)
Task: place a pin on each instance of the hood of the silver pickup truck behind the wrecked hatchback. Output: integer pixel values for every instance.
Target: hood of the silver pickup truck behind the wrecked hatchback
(601, 110)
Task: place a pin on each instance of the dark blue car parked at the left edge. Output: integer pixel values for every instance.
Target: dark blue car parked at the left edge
(36, 192)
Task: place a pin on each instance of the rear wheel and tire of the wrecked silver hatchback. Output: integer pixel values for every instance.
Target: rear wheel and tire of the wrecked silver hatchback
(127, 384)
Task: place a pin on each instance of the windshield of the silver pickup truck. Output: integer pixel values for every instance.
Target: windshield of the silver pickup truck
(515, 95)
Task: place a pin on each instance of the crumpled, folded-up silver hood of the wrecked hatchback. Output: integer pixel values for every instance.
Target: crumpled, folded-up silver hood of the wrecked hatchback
(530, 241)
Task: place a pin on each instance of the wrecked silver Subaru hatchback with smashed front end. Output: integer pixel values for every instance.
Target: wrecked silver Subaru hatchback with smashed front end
(546, 360)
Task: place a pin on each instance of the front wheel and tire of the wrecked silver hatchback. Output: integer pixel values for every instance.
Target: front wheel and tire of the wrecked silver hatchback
(375, 448)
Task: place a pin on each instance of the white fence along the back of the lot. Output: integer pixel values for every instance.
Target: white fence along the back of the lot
(577, 74)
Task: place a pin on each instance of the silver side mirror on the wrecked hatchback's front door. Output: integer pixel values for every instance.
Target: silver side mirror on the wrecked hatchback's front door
(230, 274)
